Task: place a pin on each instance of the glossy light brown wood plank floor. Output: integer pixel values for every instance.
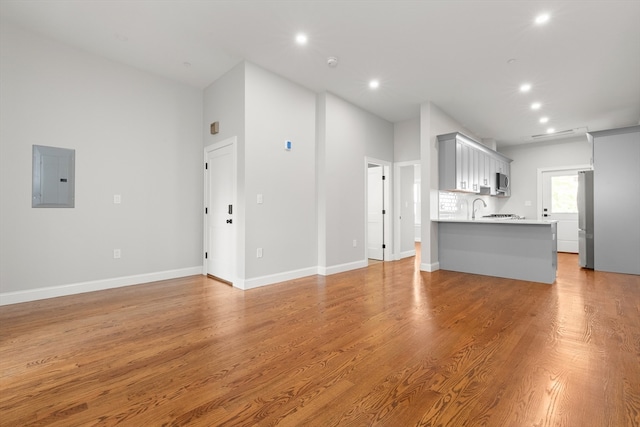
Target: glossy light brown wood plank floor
(386, 346)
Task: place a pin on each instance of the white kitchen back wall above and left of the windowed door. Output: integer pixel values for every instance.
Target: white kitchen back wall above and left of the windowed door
(527, 159)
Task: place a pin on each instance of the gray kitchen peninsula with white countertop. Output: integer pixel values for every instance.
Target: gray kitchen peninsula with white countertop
(514, 249)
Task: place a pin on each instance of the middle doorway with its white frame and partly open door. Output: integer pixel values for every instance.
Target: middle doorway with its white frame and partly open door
(378, 228)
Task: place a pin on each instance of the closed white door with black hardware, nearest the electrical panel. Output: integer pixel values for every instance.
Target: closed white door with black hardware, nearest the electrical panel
(220, 213)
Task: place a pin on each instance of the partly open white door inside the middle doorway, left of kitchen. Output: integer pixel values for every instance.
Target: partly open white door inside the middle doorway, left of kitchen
(375, 217)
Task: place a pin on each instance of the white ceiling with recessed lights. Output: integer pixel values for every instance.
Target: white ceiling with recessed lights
(584, 64)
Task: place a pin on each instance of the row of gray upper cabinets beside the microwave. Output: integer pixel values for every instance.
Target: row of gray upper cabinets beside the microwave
(467, 166)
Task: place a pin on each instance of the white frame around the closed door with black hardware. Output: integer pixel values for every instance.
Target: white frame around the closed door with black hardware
(232, 141)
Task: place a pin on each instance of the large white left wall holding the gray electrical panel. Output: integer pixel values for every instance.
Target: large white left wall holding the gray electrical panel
(135, 134)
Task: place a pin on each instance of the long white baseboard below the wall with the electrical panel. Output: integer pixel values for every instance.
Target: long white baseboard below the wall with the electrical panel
(7, 298)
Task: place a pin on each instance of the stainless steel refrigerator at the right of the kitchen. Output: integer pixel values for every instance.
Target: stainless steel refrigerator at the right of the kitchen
(585, 218)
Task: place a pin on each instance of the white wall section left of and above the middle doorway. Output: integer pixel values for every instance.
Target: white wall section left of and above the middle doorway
(349, 135)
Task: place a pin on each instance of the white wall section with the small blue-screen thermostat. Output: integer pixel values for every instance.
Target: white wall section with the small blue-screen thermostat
(284, 226)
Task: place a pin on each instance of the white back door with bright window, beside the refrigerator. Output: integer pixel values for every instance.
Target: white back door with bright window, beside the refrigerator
(559, 202)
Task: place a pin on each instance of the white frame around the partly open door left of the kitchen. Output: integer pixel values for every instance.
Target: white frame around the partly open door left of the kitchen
(388, 231)
